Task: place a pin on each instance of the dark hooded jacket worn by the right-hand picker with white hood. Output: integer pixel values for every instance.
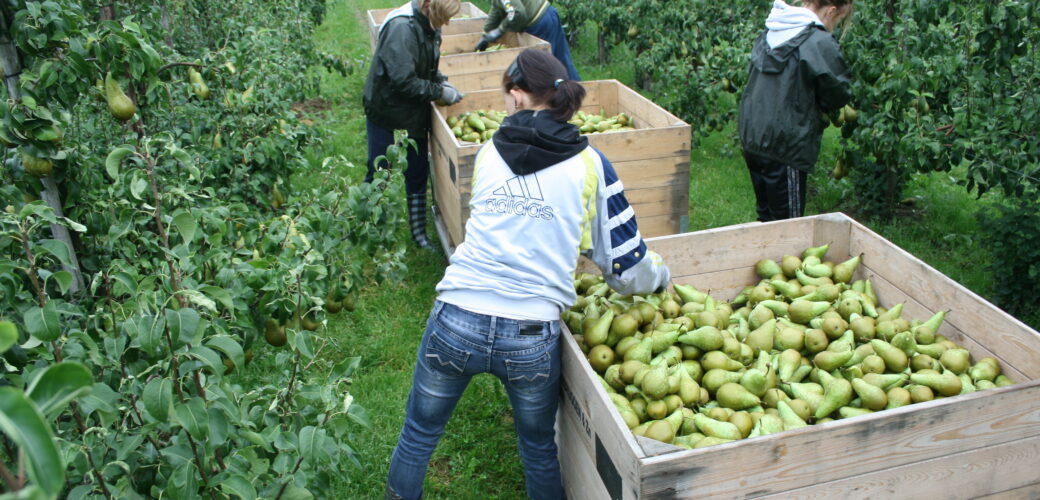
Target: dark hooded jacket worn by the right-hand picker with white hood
(789, 88)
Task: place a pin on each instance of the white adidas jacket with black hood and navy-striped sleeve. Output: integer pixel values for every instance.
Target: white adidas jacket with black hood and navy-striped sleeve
(541, 196)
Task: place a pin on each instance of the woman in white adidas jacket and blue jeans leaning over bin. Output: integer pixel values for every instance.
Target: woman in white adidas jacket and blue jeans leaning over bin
(541, 196)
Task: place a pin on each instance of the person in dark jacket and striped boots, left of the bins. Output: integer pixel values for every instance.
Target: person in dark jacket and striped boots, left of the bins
(402, 83)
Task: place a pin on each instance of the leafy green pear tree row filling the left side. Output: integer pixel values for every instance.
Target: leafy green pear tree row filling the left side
(168, 172)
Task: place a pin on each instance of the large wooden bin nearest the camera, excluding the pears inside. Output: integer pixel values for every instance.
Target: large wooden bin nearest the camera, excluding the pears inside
(968, 446)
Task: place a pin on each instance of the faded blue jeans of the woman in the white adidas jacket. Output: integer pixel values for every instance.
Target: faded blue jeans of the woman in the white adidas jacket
(459, 345)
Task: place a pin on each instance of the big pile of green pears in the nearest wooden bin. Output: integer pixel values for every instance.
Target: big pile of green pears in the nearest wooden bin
(804, 346)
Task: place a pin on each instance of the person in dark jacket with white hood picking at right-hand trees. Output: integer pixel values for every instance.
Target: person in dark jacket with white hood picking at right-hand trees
(796, 74)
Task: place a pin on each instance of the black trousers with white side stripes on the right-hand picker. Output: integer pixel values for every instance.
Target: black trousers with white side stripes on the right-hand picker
(779, 189)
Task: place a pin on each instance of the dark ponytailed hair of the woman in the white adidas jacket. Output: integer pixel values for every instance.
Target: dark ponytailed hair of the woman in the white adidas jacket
(544, 77)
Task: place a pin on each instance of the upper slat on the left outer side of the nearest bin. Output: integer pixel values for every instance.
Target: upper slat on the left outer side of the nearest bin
(588, 404)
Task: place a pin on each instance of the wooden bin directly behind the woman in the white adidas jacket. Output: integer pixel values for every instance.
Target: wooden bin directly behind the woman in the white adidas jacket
(653, 162)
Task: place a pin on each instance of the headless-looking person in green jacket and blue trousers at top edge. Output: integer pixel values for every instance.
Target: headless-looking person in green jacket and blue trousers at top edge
(535, 17)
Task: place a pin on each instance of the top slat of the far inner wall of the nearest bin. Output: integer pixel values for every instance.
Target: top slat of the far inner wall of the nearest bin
(734, 247)
